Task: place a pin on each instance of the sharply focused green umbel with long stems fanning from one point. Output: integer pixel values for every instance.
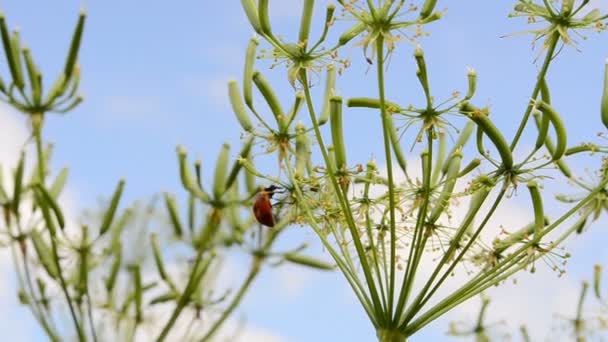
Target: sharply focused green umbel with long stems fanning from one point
(392, 234)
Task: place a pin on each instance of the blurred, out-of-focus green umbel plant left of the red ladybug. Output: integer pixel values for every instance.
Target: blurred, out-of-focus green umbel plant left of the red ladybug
(96, 267)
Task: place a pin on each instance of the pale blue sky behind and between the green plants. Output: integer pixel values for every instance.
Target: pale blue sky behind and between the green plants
(154, 76)
